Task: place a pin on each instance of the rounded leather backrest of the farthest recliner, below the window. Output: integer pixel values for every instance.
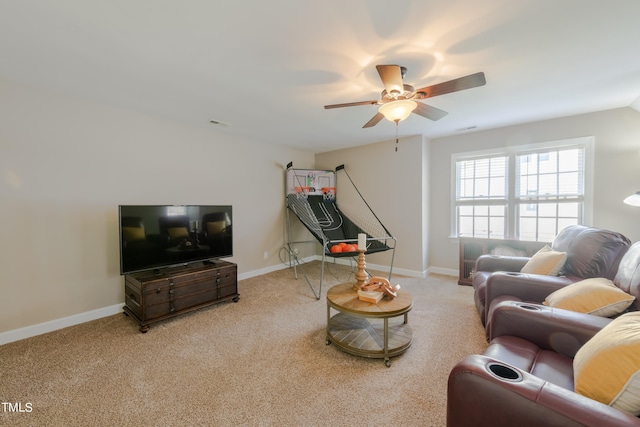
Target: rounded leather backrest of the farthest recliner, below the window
(591, 252)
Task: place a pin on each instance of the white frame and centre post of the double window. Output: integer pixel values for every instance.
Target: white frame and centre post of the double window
(511, 232)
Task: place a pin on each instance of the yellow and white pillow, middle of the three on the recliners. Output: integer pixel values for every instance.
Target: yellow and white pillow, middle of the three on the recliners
(597, 296)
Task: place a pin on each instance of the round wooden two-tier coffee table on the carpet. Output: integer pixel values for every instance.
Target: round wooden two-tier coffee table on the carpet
(366, 329)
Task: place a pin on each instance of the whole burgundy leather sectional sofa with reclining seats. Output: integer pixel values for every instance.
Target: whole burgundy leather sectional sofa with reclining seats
(526, 375)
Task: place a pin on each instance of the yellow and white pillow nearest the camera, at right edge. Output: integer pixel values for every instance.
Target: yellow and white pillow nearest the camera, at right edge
(607, 367)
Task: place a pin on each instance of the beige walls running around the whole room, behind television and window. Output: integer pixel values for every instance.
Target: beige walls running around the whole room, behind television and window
(66, 164)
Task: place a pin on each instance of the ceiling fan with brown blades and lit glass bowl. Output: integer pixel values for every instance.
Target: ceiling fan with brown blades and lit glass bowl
(399, 100)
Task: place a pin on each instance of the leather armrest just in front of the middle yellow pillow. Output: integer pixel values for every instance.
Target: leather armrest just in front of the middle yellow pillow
(549, 328)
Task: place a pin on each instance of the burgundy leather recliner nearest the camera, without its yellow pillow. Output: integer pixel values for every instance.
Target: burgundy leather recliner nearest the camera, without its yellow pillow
(526, 375)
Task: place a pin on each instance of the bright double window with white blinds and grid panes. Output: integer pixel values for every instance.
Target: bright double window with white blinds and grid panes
(526, 192)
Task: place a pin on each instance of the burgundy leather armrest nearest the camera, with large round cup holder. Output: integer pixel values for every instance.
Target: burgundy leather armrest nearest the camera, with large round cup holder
(478, 395)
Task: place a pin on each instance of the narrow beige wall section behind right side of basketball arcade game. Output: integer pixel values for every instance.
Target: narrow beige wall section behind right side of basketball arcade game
(393, 184)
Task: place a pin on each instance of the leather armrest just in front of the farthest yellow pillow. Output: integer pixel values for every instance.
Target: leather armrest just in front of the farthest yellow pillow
(527, 287)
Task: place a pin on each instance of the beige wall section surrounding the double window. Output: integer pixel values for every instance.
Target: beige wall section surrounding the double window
(616, 170)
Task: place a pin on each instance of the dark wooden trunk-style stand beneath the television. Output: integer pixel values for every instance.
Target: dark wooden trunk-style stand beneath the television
(153, 296)
